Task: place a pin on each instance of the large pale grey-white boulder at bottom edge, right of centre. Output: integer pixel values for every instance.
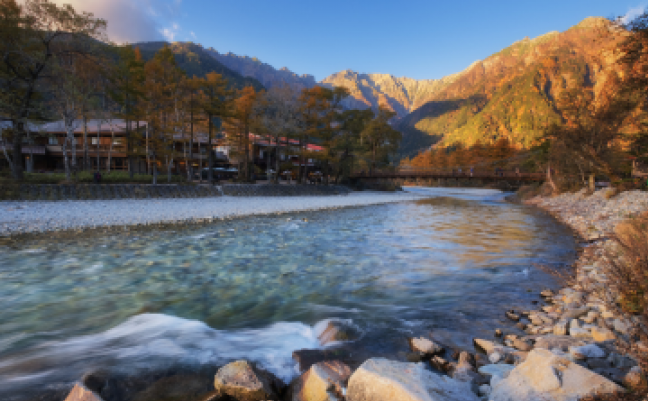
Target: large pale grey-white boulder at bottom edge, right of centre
(379, 379)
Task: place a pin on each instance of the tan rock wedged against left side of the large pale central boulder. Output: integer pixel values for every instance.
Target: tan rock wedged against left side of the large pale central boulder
(320, 380)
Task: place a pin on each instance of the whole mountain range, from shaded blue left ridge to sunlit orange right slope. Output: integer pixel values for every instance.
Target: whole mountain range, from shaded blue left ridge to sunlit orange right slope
(510, 94)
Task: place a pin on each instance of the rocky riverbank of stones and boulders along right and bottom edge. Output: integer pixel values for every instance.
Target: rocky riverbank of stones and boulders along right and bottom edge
(563, 350)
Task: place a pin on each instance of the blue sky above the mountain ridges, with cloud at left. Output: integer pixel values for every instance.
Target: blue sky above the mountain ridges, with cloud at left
(418, 39)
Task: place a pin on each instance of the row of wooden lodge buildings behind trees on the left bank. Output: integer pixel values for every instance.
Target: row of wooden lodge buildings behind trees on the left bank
(42, 150)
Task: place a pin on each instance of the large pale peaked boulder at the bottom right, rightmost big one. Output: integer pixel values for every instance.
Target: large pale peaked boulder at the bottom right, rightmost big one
(548, 377)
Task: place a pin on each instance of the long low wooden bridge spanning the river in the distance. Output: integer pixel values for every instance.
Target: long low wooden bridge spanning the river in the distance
(438, 174)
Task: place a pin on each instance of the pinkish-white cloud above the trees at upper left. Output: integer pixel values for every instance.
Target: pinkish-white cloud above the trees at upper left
(133, 20)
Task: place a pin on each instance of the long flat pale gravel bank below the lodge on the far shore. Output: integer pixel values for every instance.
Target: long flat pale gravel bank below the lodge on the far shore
(37, 217)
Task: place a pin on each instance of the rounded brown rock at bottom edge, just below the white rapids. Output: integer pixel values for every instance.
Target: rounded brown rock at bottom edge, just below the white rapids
(245, 382)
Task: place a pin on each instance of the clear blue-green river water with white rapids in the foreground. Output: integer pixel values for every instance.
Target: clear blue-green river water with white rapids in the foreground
(261, 287)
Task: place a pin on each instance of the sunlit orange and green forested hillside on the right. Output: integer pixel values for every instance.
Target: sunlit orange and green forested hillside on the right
(512, 93)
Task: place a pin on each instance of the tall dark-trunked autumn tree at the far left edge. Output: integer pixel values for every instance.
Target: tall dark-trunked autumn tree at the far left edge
(29, 35)
